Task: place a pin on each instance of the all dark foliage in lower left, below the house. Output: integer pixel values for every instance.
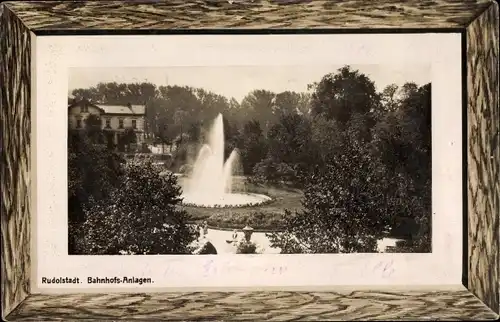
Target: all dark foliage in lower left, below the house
(112, 204)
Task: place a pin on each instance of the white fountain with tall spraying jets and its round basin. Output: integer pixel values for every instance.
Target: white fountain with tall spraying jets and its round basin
(210, 182)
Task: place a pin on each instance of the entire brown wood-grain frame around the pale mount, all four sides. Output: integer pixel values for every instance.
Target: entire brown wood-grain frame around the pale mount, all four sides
(478, 22)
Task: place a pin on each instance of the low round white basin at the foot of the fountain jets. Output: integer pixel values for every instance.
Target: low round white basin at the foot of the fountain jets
(227, 200)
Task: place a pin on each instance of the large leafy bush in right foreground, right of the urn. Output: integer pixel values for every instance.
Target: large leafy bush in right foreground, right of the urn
(345, 209)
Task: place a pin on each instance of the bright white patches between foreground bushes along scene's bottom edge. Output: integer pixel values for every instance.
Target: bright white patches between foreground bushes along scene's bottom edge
(219, 239)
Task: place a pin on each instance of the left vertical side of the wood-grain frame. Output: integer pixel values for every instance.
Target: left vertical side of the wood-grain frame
(15, 72)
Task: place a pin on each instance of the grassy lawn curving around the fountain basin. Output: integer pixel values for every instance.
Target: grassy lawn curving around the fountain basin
(264, 217)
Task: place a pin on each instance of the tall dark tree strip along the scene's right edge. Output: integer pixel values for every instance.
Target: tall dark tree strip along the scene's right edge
(402, 140)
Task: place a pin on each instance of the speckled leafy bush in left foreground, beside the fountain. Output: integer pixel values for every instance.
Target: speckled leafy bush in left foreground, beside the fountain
(141, 217)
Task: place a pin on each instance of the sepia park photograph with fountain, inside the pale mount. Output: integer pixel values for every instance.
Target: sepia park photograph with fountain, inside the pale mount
(205, 160)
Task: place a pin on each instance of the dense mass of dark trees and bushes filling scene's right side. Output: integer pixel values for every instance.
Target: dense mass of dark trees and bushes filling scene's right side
(374, 172)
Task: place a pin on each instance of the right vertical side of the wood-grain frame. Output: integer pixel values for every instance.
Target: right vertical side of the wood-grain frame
(483, 156)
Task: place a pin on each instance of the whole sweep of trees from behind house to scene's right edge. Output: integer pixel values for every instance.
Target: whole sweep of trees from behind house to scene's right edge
(362, 157)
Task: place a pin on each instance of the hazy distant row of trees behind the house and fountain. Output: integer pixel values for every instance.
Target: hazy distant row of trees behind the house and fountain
(174, 111)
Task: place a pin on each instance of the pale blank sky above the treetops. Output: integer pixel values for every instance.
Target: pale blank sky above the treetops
(238, 81)
